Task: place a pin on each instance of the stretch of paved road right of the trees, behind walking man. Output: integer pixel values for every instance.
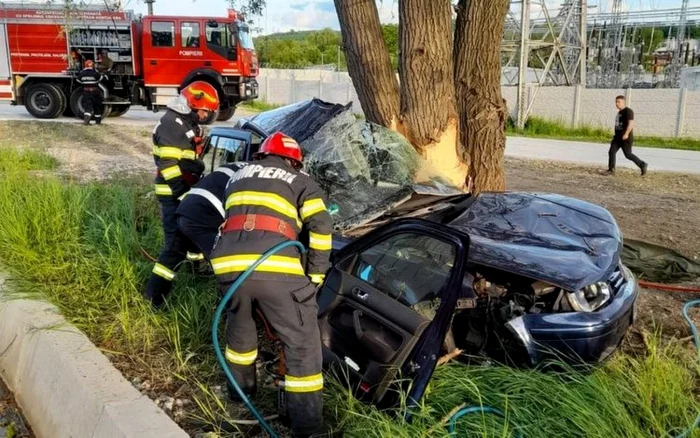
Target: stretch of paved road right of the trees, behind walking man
(597, 154)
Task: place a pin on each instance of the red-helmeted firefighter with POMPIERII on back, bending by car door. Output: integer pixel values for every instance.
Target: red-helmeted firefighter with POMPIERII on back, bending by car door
(267, 203)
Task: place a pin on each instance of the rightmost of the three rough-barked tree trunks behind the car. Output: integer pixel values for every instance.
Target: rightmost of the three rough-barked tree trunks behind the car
(477, 58)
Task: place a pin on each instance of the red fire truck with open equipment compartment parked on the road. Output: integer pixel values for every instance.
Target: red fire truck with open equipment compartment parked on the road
(150, 58)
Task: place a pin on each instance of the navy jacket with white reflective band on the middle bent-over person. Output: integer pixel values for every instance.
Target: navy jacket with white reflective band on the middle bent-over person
(204, 203)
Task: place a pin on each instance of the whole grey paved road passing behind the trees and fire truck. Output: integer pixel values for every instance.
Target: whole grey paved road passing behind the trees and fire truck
(557, 150)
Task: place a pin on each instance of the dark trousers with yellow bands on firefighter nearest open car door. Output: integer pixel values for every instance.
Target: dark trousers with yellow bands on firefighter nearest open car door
(290, 307)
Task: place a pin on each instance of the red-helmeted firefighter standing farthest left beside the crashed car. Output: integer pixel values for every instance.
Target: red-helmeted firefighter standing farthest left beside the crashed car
(176, 152)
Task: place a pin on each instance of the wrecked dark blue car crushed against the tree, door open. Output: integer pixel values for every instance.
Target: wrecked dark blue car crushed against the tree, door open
(420, 268)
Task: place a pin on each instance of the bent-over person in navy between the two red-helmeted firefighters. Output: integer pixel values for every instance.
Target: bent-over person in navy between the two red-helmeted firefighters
(201, 211)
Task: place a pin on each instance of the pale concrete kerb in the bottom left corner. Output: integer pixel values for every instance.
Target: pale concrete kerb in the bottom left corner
(64, 385)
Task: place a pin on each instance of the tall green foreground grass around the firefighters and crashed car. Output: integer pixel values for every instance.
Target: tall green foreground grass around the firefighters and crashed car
(78, 246)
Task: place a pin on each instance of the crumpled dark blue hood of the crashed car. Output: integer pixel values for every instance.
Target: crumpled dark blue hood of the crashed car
(563, 241)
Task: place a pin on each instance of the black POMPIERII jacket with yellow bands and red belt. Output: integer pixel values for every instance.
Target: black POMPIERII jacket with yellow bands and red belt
(270, 188)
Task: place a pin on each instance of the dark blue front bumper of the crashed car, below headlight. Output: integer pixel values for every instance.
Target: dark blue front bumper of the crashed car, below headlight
(579, 336)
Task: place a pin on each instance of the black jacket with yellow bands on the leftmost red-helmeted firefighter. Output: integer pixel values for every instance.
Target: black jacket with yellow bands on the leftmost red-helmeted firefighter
(179, 168)
